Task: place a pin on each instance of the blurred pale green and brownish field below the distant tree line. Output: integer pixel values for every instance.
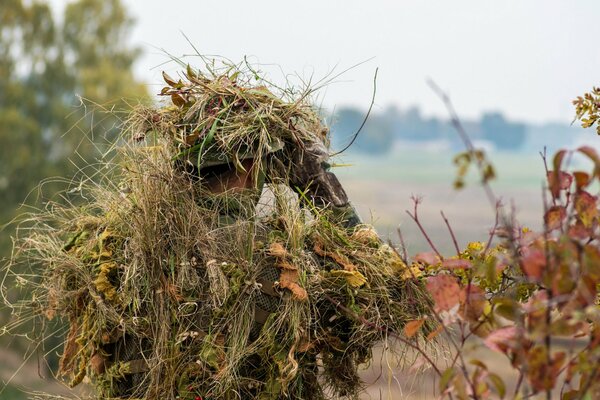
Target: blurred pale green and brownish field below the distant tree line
(381, 190)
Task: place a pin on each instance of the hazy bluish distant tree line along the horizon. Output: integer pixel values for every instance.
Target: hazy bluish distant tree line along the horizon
(392, 127)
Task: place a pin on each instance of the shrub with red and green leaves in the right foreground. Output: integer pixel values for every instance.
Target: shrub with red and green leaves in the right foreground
(532, 297)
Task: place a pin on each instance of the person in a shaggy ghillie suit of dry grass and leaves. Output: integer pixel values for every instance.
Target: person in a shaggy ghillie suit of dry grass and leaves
(179, 280)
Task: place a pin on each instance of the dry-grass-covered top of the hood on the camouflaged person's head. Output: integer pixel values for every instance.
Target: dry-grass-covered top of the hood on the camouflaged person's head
(222, 119)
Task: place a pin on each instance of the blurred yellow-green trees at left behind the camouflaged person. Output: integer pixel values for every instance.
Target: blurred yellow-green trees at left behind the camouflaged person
(44, 67)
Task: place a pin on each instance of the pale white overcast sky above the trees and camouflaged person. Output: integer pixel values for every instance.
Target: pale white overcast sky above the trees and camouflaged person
(526, 58)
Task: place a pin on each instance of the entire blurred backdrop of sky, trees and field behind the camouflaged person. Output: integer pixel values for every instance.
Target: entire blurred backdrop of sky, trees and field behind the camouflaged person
(512, 69)
